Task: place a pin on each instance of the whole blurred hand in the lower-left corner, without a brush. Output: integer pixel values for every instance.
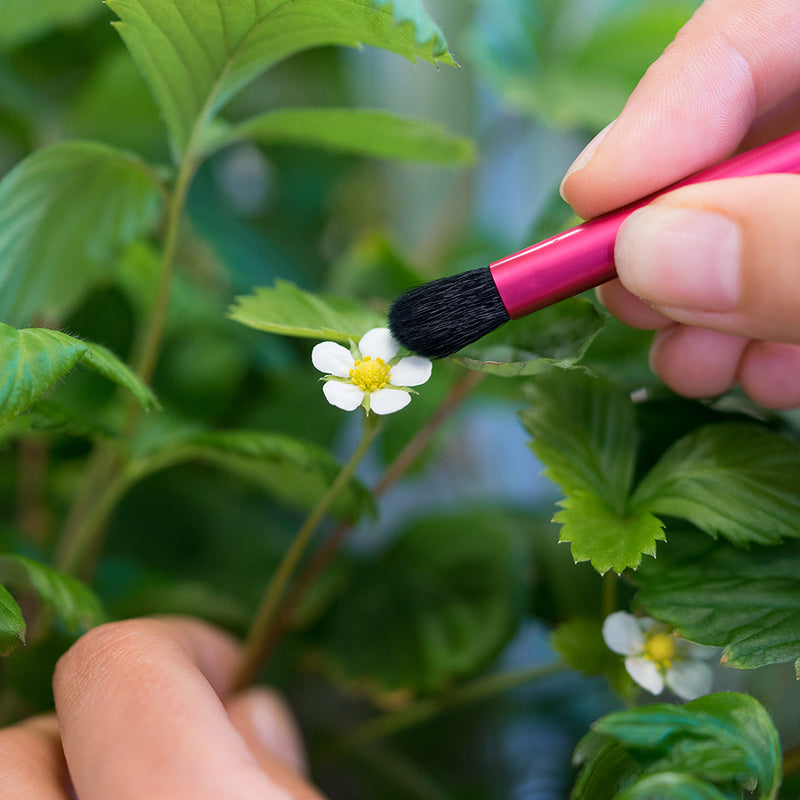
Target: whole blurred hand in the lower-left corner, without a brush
(144, 710)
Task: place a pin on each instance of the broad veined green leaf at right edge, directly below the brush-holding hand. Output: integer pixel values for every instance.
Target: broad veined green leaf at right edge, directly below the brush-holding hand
(738, 481)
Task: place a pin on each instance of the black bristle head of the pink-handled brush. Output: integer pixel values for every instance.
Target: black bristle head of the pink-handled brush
(441, 317)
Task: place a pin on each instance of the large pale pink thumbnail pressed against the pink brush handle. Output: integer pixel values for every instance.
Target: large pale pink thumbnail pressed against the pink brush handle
(681, 258)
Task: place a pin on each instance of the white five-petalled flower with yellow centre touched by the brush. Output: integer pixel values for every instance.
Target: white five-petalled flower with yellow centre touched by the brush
(371, 374)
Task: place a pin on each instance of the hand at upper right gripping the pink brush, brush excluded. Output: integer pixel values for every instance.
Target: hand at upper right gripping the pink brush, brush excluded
(714, 268)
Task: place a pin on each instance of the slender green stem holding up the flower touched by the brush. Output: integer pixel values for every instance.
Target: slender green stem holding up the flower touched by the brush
(258, 637)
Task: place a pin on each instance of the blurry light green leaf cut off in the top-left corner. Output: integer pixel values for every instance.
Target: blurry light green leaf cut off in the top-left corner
(21, 21)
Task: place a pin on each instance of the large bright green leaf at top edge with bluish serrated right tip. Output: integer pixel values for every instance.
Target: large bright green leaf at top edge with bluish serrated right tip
(196, 54)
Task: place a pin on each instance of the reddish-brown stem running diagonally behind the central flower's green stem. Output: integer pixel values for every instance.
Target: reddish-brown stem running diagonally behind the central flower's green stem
(328, 549)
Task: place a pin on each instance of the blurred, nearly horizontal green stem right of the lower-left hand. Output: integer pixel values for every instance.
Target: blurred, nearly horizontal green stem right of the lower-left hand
(423, 710)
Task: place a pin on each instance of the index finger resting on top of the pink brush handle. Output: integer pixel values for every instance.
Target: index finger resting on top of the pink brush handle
(734, 61)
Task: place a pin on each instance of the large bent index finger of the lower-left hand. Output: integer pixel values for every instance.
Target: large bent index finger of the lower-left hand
(141, 716)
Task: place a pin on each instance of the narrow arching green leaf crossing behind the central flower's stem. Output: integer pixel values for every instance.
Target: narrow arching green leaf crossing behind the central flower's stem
(295, 472)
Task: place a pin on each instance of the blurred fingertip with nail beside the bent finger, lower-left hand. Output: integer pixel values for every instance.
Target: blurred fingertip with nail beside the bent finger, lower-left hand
(267, 725)
